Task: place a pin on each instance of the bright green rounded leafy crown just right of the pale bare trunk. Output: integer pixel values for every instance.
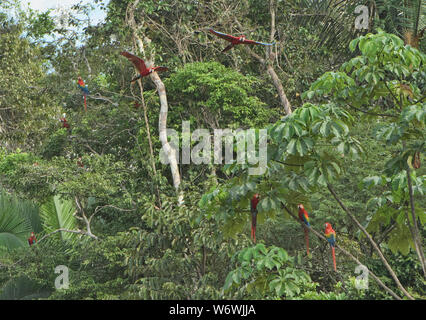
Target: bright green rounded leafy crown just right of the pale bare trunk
(215, 96)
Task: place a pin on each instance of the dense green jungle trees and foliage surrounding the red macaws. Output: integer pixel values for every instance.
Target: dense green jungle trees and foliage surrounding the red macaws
(344, 111)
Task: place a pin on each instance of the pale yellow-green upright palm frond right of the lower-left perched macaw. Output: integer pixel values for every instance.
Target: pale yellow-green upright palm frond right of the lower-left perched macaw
(56, 214)
